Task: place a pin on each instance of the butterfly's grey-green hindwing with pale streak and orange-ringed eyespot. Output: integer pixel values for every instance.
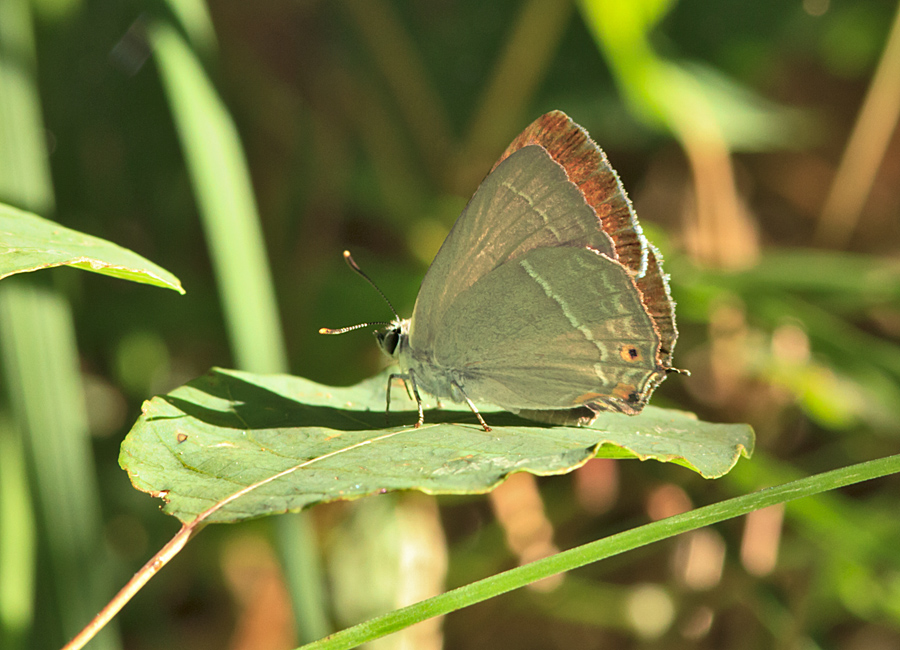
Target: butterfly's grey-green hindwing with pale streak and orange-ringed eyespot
(542, 345)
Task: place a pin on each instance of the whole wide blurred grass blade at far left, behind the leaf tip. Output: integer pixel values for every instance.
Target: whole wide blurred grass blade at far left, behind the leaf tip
(40, 366)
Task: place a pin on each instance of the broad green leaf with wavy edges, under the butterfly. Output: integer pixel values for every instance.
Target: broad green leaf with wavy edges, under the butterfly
(228, 430)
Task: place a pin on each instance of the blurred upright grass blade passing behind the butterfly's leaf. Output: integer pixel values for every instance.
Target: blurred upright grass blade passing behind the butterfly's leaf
(223, 189)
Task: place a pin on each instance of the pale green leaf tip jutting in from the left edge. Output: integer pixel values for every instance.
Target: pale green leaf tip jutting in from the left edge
(29, 243)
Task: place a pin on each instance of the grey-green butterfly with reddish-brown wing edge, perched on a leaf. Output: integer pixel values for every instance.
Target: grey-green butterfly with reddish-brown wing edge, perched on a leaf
(545, 298)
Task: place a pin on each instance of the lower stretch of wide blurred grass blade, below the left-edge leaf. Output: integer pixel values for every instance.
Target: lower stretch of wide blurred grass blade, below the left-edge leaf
(40, 365)
